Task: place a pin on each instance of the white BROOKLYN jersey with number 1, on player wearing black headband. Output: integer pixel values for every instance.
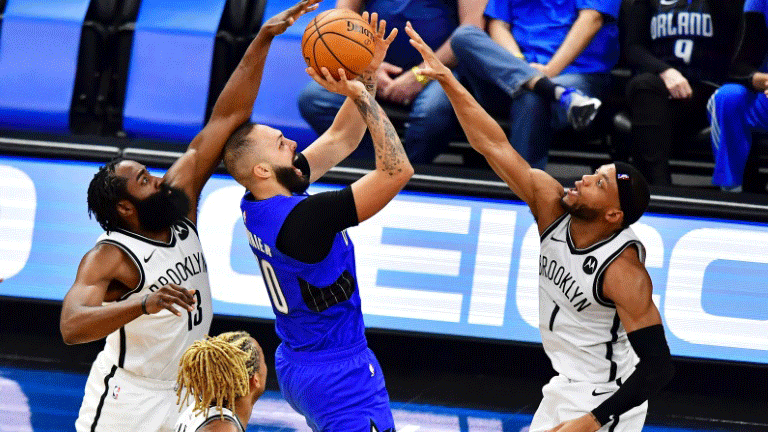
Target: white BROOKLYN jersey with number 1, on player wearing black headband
(580, 328)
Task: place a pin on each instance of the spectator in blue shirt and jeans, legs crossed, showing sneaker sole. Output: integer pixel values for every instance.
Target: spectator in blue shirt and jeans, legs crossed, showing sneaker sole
(535, 55)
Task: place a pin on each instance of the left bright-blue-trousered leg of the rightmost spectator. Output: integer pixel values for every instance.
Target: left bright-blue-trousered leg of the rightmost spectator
(731, 134)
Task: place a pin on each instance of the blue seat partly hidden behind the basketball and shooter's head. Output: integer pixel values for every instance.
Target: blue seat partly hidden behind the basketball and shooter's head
(284, 78)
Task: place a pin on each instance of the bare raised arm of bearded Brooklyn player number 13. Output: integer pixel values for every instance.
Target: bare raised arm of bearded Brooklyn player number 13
(233, 108)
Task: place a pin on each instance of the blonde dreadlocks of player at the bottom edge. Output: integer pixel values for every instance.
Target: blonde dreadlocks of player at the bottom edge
(215, 371)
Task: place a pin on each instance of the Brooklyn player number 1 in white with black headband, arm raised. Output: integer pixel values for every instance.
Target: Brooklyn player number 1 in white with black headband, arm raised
(601, 331)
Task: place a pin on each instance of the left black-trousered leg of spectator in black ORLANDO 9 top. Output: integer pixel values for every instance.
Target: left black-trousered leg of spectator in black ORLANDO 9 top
(651, 127)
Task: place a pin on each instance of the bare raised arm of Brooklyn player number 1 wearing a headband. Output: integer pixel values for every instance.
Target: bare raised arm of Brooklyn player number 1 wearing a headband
(537, 188)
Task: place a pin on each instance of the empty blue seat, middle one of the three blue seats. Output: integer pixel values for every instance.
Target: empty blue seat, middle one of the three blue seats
(169, 72)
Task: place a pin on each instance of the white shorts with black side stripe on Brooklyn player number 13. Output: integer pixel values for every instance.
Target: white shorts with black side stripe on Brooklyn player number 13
(116, 400)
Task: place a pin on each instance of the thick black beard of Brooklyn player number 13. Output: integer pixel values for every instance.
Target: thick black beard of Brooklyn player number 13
(160, 210)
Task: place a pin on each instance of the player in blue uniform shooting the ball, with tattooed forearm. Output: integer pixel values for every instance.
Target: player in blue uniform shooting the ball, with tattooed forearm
(324, 367)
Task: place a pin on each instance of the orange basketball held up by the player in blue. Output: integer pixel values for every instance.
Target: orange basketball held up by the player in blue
(338, 38)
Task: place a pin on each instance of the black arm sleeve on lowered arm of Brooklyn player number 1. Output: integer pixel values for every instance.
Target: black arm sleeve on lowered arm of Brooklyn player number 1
(651, 374)
